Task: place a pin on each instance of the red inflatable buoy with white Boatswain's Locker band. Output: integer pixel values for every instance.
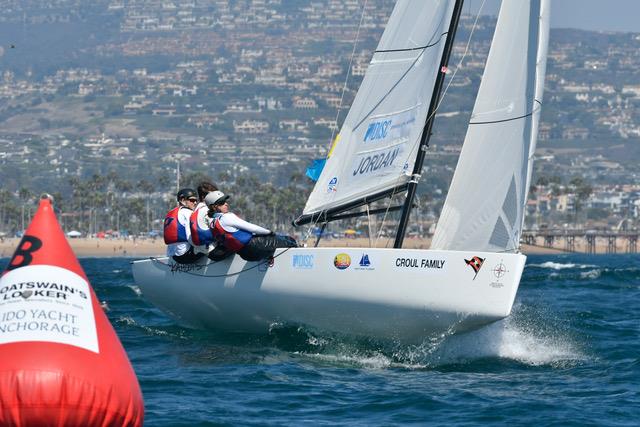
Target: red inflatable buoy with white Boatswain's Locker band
(61, 362)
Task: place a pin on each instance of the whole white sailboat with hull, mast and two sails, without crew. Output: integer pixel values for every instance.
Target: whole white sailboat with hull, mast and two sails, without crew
(470, 276)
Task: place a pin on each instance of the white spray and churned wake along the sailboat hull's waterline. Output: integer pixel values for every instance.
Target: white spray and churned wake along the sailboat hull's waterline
(521, 338)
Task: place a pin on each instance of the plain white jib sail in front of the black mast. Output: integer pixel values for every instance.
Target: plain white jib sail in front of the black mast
(484, 209)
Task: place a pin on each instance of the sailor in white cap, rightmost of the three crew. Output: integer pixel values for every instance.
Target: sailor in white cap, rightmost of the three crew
(235, 235)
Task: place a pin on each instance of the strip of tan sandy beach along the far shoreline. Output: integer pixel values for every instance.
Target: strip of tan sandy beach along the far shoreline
(140, 248)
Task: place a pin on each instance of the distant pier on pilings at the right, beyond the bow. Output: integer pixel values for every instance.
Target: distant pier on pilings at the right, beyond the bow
(584, 241)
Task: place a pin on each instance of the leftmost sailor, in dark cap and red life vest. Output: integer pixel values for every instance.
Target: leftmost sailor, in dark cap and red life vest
(176, 228)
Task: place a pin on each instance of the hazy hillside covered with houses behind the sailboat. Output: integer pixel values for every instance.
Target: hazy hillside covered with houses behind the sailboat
(230, 89)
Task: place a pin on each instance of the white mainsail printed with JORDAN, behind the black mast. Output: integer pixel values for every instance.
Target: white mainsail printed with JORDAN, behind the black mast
(378, 143)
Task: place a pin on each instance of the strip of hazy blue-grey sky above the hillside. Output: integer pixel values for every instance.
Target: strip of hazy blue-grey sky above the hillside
(604, 15)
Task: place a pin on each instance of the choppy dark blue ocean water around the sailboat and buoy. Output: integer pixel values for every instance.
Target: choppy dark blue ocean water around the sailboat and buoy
(568, 355)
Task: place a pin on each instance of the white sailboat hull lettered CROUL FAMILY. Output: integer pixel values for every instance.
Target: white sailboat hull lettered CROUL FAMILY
(398, 294)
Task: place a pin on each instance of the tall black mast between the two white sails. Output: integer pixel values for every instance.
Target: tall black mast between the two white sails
(426, 133)
